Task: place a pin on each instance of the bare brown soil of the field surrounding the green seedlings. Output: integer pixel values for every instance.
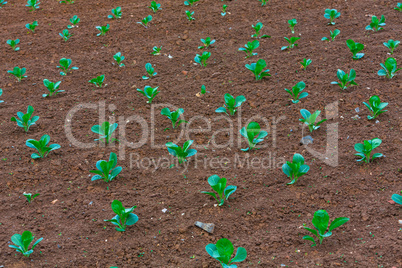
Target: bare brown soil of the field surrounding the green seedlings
(265, 215)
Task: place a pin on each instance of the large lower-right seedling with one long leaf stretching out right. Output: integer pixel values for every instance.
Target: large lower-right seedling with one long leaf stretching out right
(320, 222)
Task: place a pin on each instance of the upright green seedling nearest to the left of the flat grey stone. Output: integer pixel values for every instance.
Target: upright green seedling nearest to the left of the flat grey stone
(124, 216)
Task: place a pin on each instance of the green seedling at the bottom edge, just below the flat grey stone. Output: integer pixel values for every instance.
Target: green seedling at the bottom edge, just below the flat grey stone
(223, 251)
